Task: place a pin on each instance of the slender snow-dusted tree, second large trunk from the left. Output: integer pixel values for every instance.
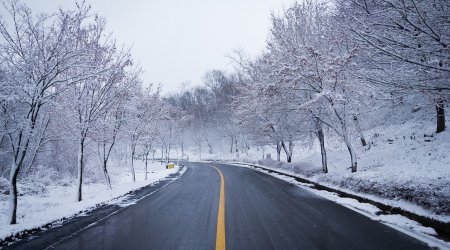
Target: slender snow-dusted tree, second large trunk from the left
(94, 96)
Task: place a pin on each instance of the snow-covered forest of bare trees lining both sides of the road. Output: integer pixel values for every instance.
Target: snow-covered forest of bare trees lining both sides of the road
(73, 101)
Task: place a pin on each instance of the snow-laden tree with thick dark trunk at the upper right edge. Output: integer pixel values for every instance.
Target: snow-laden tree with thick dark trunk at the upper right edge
(407, 45)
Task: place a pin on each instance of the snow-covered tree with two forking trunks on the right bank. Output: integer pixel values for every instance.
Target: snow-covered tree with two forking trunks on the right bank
(313, 61)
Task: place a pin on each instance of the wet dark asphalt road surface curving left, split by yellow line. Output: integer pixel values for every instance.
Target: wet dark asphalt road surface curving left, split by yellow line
(261, 212)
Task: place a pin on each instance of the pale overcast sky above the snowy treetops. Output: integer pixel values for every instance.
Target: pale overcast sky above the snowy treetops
(177, 41)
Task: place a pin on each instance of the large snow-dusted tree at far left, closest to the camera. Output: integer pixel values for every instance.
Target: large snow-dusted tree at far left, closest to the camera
(37, 56)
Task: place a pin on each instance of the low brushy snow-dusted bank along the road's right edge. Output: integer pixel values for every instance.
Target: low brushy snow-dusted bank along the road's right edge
(422, 195)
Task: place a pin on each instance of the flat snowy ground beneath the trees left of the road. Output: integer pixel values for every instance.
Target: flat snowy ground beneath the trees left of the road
(58, 201)
